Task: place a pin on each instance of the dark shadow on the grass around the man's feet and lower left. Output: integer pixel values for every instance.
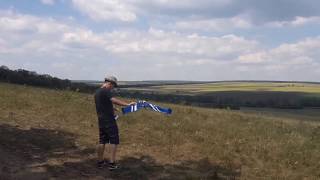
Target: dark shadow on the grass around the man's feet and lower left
(44, 154)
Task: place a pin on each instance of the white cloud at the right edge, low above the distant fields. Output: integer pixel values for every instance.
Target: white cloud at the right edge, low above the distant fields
(296, 61)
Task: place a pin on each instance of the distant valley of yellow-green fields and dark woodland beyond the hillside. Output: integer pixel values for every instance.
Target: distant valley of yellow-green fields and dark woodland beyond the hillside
(234, 95)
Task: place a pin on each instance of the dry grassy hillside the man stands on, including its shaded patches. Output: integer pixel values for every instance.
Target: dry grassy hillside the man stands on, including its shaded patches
(52, 134)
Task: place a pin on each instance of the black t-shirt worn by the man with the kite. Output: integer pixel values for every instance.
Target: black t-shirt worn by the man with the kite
(103, 102)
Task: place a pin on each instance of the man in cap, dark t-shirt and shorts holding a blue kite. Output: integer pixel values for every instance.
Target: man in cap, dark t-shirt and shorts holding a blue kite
(108, 128)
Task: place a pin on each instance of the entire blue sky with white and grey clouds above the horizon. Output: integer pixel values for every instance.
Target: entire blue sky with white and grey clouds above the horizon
(162, 39)
